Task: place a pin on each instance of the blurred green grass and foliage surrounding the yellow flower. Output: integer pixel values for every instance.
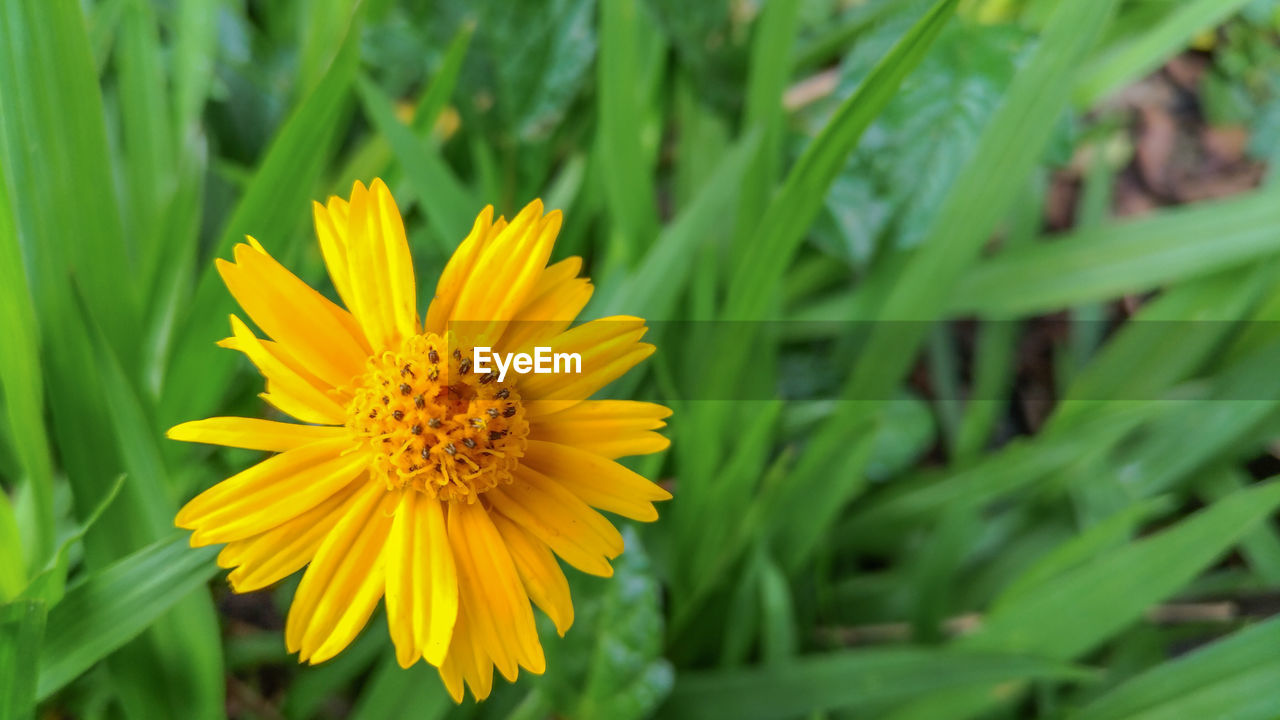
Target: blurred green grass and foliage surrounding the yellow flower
(967, 311)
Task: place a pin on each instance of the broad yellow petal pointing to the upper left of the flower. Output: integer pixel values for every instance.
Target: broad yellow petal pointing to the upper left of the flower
(308, 326)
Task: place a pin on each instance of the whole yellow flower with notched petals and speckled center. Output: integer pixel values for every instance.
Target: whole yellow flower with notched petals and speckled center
(417, 477)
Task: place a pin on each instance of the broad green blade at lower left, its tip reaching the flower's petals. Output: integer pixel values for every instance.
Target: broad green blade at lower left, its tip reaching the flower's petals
(113, 605)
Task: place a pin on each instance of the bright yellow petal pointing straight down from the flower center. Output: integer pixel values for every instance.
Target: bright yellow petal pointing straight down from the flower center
(422, 582)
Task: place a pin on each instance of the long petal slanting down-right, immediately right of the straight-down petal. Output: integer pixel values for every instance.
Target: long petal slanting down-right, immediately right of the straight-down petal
(488, 580)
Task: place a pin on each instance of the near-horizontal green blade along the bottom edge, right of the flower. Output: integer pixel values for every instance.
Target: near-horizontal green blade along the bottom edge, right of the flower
(848, 680)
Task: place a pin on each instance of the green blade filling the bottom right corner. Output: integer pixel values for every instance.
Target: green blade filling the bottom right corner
(1235, 678)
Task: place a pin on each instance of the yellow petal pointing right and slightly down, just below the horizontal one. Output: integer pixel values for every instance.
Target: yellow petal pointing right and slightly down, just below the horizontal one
(600, 482)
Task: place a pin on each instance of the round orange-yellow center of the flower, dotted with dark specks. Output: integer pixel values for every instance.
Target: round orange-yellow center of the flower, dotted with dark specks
(436, 426)
